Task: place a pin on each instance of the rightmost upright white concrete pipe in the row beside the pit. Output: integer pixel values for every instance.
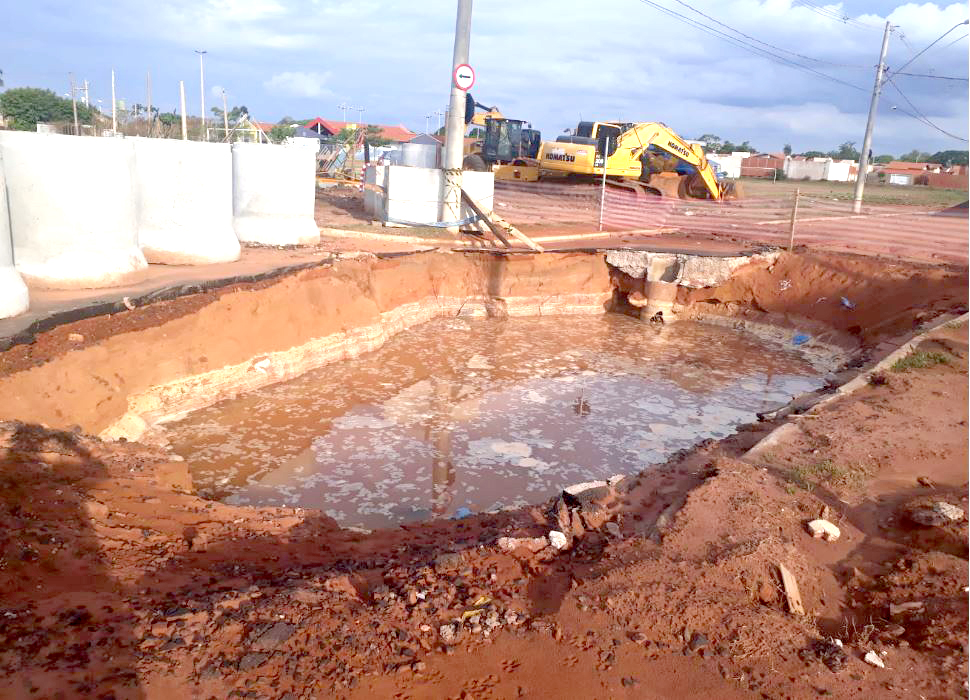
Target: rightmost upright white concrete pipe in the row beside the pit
(273, 194)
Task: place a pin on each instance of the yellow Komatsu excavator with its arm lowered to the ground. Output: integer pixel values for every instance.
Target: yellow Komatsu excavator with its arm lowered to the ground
(646, 155)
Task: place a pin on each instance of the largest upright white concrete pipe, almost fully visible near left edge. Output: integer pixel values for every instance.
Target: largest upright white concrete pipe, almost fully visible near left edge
(72, 209)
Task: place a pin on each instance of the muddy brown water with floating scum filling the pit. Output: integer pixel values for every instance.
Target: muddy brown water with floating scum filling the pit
(460, 416)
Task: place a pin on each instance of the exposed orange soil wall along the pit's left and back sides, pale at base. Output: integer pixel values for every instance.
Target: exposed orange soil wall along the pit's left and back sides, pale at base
(296, 323)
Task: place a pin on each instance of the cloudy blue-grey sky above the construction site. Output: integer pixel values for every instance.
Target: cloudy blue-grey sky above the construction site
(547, 62)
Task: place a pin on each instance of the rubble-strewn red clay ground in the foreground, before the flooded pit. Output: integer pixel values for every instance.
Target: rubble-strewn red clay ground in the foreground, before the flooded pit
(116, 583)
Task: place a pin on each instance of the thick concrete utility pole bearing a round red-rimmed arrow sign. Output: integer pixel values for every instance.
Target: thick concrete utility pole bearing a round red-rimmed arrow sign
(455, 124)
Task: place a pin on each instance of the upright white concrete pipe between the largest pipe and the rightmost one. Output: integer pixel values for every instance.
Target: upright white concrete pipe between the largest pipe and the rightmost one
(184, 191)
